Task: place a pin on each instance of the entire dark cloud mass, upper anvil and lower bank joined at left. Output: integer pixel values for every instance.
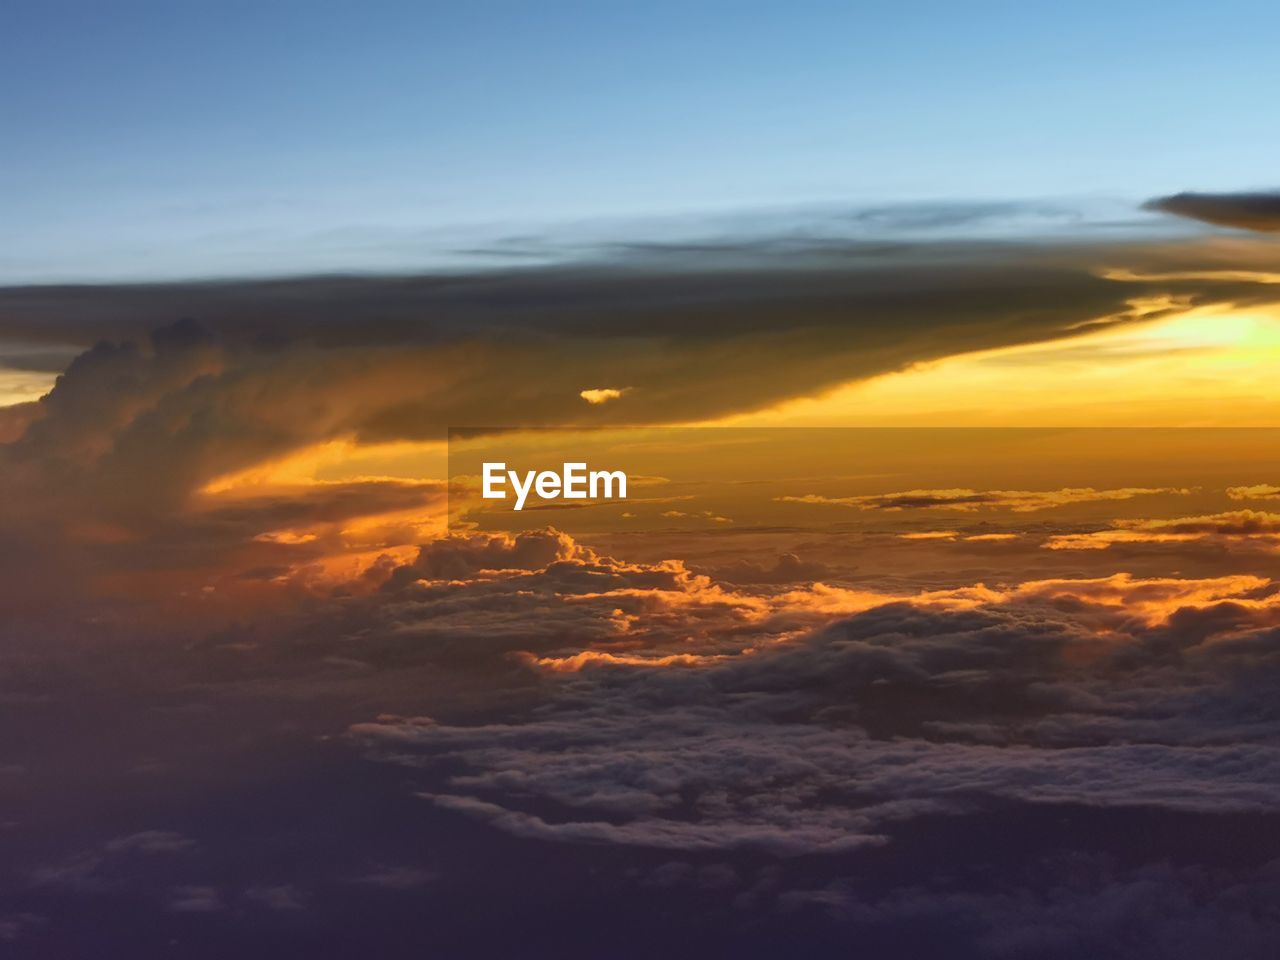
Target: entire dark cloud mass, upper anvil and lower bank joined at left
(468, 756)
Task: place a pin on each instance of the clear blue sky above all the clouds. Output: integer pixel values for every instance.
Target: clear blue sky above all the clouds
(184, 139)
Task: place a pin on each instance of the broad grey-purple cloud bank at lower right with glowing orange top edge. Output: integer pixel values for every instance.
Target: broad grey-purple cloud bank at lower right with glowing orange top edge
(1057, 692)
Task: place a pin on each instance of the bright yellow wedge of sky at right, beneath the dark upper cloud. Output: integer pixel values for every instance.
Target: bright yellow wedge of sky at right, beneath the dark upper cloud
(1204, 367)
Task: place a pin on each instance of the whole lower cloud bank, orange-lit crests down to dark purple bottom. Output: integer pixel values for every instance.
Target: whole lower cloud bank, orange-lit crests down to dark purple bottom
(1062, 771)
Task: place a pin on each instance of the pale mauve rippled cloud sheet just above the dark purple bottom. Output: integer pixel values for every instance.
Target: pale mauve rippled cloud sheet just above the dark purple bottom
(708, 778)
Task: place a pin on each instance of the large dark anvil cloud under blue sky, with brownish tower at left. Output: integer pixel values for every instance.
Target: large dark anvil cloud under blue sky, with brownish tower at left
(157, 408)
